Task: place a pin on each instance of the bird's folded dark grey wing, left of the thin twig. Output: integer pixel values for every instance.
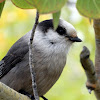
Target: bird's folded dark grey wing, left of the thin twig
(14, 56)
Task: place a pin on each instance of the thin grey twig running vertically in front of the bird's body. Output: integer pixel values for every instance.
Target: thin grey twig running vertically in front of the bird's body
(34, 85)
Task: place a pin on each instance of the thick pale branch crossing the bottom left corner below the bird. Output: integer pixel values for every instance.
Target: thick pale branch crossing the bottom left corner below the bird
(6, 93)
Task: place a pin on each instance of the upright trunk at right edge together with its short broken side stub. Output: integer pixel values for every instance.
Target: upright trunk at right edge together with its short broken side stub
(93, 73)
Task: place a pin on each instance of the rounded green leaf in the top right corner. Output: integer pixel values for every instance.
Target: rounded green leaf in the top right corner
(89, 8)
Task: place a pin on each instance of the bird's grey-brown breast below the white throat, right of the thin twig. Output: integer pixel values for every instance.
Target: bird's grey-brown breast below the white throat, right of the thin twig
(48, 69)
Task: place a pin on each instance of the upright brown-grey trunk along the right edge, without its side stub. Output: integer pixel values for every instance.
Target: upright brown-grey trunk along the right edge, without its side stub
(97, 55)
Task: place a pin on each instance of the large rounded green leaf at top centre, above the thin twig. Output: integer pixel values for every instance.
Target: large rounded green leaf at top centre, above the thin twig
(49, 6)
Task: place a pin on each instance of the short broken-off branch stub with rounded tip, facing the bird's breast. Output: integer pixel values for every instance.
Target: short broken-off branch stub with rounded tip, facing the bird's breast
(89, 69)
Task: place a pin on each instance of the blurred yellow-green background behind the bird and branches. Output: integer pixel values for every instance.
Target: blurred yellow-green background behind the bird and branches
(15, 22)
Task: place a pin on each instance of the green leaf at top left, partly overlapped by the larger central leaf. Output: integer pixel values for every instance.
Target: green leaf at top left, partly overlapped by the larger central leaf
(24, 4)
